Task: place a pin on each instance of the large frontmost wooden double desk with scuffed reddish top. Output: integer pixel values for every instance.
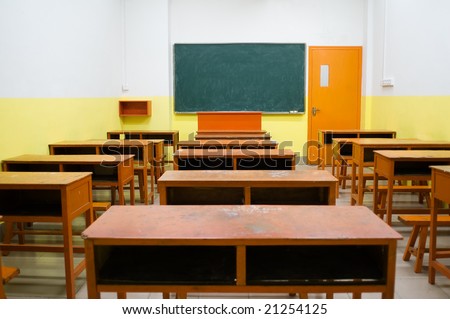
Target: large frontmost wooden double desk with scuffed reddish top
(240, 249)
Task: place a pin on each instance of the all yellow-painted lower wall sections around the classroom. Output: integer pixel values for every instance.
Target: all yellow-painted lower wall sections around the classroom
(29, 125)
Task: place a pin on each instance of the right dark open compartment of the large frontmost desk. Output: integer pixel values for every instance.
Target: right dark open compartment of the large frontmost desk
(316, 265)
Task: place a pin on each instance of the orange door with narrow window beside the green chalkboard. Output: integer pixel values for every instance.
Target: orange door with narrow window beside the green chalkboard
(334, 92)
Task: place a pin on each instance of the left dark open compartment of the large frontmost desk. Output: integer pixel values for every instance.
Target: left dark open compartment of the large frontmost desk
(166, 265)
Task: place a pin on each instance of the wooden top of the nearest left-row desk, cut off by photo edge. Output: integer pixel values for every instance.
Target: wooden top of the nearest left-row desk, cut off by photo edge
(40, 178)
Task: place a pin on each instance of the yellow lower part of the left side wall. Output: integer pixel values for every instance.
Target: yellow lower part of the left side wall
(29, 125)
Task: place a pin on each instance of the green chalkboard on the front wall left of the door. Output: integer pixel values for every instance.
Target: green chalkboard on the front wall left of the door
(267, 77)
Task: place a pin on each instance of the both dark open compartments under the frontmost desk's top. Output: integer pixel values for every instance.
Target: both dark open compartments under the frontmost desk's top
(216, 265)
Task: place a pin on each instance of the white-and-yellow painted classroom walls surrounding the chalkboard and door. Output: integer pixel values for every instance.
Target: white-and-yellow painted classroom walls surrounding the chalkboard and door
(64, 64)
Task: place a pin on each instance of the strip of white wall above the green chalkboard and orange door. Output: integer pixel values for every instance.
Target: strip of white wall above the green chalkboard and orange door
(319, 22)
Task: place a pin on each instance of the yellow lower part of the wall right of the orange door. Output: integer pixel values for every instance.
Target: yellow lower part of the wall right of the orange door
(423, 117)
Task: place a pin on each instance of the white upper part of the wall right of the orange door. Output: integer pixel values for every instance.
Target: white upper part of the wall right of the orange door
(412, 46)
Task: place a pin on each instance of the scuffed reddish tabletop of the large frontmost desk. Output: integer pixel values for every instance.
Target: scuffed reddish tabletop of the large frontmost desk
(235, 224)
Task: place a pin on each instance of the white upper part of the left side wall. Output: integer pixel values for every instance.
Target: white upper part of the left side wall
(60, 48)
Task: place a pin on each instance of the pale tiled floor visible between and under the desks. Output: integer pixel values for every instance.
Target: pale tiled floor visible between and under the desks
(42, 274)
